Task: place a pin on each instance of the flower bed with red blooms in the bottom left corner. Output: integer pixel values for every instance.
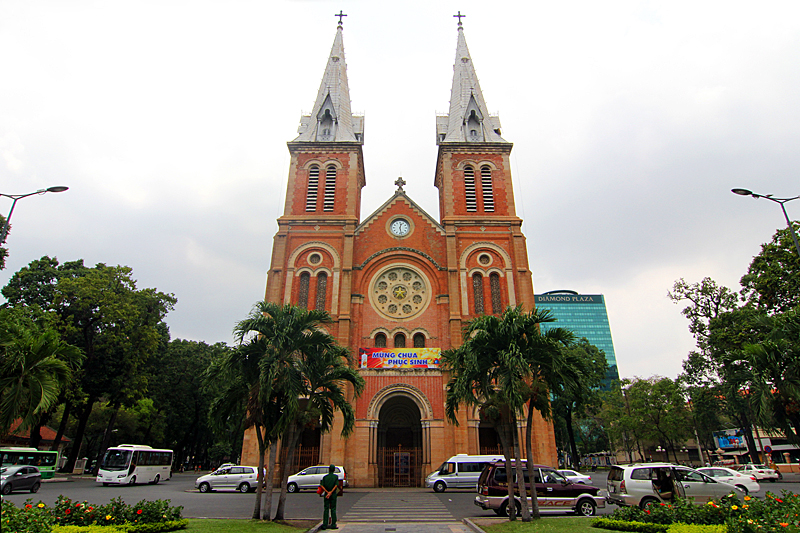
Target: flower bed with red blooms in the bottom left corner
(144, 517)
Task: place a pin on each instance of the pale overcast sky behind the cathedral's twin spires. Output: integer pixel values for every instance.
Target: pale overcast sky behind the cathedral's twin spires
(631, 122)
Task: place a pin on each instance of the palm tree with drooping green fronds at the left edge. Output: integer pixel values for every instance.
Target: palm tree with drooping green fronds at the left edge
(35, 366)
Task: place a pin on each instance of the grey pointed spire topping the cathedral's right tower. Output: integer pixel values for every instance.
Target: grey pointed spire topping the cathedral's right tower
(468, 119)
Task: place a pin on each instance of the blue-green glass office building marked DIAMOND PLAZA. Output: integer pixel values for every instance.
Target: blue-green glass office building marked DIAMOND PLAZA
(585, 315)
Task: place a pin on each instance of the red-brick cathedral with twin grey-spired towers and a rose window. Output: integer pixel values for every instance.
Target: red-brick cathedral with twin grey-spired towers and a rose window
(399, 284)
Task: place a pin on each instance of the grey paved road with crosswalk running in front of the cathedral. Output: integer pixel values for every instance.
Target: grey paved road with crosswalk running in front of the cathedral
(355, 506)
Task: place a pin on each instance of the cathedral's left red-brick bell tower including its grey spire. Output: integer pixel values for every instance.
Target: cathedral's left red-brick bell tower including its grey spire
(312, 251)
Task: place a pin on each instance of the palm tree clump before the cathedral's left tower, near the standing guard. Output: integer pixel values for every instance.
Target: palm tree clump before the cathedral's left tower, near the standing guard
(302, 376)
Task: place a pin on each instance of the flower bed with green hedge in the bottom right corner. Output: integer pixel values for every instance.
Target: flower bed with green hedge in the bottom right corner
(752, 515)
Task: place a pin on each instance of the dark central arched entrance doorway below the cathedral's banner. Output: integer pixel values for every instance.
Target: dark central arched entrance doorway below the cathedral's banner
(400, 454)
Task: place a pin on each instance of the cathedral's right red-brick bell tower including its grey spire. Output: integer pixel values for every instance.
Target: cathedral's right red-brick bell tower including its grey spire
(485, 245)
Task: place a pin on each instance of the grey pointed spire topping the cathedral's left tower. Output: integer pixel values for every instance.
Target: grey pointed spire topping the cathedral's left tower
(331, 119)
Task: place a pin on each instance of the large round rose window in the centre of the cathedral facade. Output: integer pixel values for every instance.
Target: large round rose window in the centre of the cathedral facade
(399, 292)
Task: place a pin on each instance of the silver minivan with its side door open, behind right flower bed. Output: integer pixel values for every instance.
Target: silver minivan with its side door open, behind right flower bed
(645, 483)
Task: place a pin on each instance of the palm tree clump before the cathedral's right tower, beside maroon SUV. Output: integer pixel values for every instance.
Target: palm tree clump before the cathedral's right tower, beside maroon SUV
(503, 364)
